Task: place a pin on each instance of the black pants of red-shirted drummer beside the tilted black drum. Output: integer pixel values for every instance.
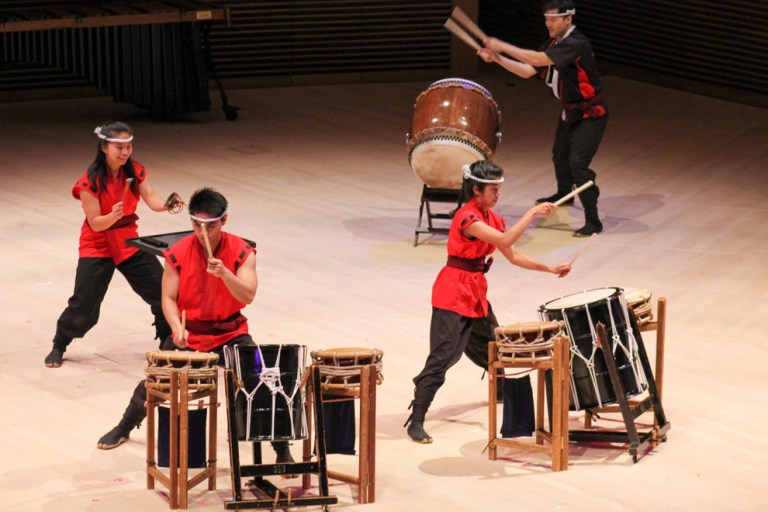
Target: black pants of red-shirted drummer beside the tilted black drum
(450, 336)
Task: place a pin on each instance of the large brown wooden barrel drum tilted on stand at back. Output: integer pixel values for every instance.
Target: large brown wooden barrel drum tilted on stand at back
(455, 122)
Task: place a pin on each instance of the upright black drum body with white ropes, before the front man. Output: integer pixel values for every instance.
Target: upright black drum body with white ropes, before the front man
(269, 401)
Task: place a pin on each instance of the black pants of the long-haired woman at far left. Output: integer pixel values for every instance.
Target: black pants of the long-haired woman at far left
(143, 273)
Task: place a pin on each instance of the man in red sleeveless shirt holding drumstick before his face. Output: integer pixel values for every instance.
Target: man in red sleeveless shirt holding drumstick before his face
(211, 291)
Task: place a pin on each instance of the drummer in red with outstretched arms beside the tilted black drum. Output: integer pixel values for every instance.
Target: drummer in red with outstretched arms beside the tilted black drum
(462, 318)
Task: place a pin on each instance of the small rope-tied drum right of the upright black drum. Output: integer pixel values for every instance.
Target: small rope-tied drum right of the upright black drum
(340, 367)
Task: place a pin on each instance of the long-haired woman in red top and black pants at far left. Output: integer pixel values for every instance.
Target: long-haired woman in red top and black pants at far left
(110, 191)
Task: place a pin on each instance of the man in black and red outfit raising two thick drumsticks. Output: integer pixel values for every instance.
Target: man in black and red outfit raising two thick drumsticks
(567, 65)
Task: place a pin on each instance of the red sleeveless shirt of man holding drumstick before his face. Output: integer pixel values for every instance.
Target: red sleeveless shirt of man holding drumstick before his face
(204, 297)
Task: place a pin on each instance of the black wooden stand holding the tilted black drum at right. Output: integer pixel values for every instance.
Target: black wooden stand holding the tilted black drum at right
(639, 442)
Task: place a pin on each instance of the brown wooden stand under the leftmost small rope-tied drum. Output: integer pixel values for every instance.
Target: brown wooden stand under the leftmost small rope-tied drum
(179, 396)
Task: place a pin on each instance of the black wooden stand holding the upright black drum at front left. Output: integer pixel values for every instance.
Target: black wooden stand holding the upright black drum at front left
(259, 471)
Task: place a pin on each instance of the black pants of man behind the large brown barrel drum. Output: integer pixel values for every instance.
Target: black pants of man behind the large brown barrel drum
(574, 148)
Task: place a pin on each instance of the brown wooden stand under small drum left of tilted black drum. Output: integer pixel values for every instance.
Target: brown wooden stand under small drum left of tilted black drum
(557, 437)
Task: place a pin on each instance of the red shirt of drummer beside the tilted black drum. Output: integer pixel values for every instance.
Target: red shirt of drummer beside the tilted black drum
(458, 290)
